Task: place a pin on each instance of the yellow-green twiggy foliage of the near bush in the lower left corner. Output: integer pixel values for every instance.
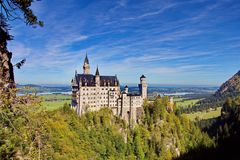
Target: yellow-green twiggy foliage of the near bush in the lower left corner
(23, 133)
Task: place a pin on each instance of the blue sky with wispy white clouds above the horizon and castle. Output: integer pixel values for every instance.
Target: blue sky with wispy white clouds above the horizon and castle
(191, 42)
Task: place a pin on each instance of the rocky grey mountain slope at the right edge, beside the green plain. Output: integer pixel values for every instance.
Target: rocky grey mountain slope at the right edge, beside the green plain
(231, 88)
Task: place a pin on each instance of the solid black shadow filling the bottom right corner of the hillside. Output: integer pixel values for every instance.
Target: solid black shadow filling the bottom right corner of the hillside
(229, 149)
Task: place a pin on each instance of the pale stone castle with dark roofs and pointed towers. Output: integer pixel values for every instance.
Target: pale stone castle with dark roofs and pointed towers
(92, 92)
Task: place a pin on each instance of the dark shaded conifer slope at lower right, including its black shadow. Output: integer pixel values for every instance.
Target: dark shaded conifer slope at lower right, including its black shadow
(226, 131)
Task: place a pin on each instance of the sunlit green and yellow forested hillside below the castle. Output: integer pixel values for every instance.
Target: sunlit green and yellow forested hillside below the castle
(61, 134)
